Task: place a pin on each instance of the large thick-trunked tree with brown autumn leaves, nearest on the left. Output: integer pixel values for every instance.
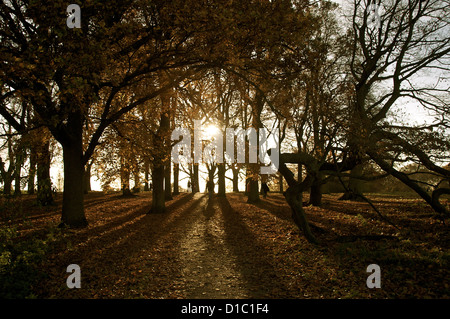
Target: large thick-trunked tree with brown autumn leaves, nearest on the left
(64, 73)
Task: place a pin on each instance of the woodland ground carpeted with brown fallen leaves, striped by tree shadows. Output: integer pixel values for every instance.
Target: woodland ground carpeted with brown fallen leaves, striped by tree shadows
(228, 248)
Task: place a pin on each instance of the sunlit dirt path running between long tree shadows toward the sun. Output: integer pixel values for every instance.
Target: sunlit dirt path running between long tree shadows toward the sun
(208, 265)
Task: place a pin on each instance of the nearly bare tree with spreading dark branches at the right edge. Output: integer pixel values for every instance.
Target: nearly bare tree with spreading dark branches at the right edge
(390, 62)
